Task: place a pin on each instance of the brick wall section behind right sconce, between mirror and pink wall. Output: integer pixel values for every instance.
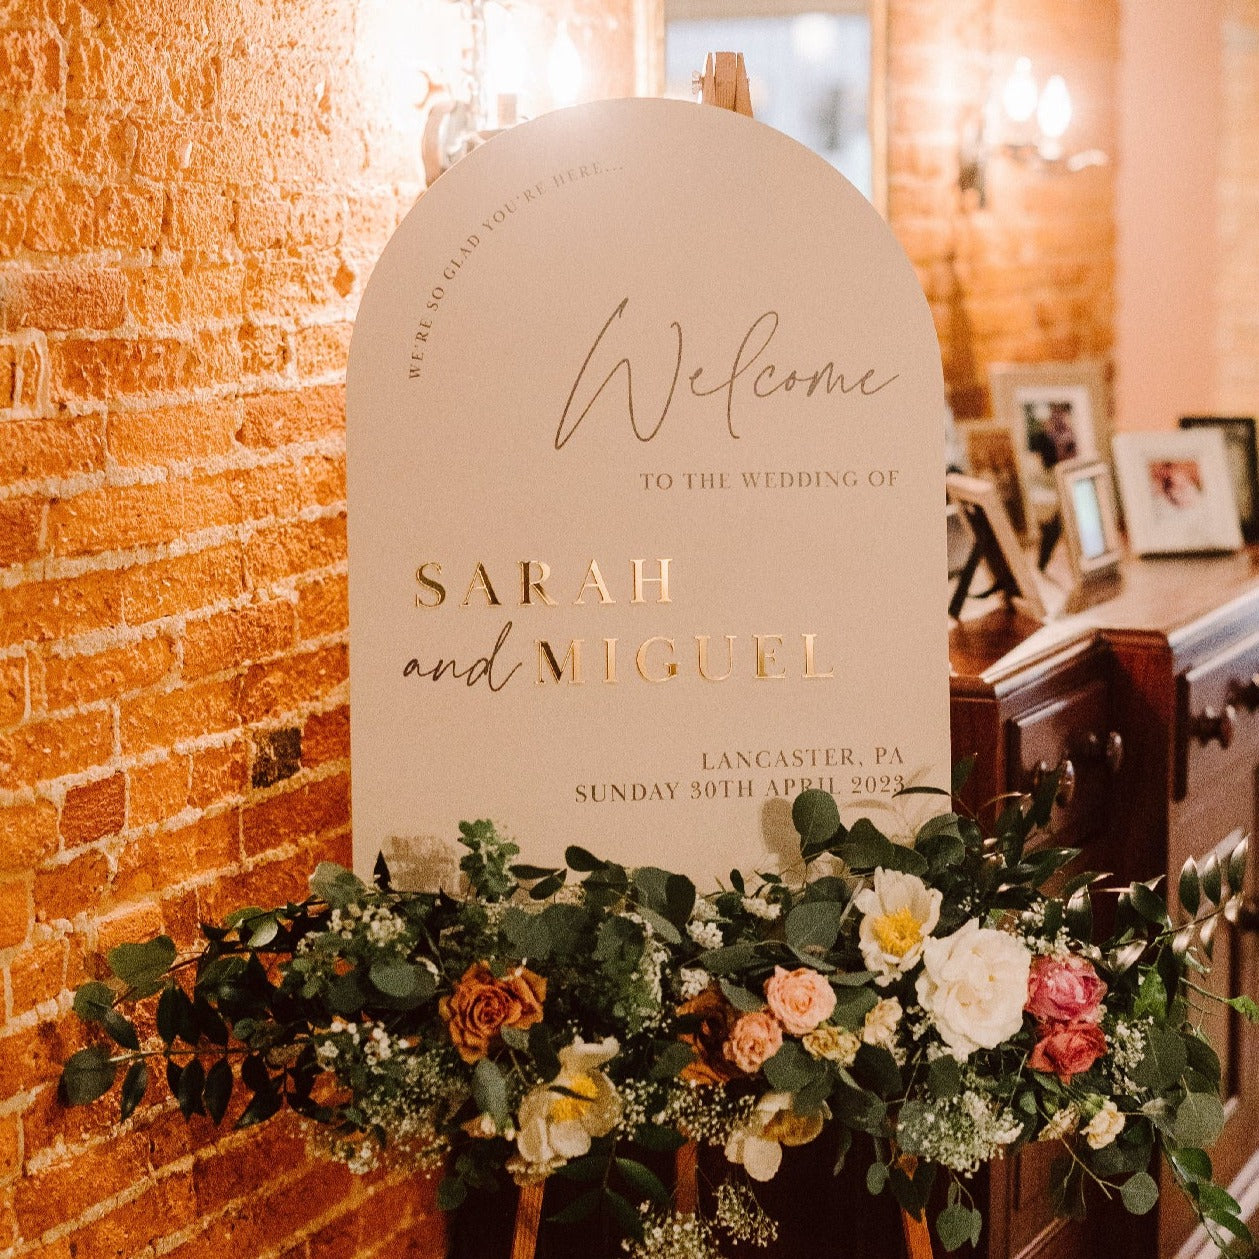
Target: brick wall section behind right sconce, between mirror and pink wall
(1030, 278)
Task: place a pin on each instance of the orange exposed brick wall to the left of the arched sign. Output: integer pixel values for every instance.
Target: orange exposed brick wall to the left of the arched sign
(192, 197)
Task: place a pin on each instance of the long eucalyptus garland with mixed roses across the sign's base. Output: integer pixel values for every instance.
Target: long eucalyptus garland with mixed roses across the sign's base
(925, 999)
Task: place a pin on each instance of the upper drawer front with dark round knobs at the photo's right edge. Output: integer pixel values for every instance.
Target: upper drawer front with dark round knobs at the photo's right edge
(1218, 716)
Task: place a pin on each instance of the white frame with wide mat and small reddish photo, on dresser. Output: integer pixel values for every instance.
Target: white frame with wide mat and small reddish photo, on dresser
(1178, 492)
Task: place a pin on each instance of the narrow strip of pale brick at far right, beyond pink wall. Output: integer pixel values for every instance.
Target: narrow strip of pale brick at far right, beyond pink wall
(1238, 325)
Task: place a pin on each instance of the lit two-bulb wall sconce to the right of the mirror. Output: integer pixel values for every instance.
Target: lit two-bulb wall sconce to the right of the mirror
(1025, 125)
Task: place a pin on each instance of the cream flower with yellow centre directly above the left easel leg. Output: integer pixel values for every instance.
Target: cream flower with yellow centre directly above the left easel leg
(560, 1120)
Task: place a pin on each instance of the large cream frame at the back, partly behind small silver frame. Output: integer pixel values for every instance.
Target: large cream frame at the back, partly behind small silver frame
(1054, 412)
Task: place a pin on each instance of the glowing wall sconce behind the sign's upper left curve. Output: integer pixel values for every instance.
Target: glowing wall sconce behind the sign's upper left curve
(498, 66)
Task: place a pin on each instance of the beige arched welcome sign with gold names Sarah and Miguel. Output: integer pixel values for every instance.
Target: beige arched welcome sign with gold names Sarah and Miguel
(646, 499)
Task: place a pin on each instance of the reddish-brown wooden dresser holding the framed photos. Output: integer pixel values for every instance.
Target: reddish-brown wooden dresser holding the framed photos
(1148, 702)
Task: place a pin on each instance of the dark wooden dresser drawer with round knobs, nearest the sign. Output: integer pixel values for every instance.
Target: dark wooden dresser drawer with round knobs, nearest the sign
(1073, 735)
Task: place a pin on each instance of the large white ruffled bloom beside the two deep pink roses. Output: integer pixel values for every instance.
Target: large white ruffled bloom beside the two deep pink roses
(974, 986)
